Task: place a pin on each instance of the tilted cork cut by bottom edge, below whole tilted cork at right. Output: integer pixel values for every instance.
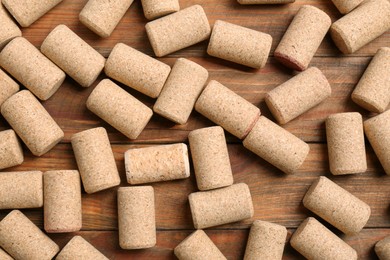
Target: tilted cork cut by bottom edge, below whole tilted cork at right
(314, 241)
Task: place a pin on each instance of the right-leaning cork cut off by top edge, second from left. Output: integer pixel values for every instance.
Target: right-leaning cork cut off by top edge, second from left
(102, 16)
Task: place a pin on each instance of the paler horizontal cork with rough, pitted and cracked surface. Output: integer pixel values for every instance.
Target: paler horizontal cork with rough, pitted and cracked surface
(157, 163)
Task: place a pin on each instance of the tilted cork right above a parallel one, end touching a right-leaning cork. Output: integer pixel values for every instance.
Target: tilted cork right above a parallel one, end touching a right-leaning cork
(137, 70)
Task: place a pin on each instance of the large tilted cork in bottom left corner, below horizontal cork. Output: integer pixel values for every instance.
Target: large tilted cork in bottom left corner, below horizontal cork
(24, 240)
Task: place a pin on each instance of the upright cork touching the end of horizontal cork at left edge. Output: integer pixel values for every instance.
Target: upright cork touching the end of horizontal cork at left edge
(62, 200)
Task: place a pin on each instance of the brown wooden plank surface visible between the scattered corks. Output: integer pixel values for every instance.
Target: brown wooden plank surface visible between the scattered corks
(277, 197)
